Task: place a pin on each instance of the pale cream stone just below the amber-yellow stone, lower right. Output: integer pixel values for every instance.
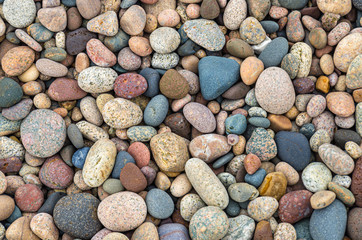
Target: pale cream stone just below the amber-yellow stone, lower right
(262, 208)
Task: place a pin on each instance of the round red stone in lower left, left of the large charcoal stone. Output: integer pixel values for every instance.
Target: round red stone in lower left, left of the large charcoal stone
(29, 198)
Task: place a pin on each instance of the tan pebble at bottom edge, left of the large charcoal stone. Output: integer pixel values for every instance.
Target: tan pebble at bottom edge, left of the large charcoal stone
(43, 226)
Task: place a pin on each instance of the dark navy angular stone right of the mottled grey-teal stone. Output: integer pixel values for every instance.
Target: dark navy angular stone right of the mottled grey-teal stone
(293, 148)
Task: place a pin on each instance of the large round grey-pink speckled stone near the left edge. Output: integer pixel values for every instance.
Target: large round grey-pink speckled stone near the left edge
(43, 133)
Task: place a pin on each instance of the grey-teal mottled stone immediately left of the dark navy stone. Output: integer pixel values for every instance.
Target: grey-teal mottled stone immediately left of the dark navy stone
(262, 145)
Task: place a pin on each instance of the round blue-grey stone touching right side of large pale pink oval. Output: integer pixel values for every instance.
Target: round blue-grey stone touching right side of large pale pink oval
(159, 204)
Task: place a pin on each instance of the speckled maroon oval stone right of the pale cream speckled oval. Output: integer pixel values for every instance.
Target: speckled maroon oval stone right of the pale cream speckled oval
(130, 85)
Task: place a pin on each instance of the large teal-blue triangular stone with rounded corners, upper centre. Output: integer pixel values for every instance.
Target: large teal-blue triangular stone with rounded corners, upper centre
(217, 74)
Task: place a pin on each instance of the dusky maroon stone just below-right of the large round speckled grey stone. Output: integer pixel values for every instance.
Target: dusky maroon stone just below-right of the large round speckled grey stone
(55, 173)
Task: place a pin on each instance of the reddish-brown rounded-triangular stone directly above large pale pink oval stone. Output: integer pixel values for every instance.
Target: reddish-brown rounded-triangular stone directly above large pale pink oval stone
(132, 178)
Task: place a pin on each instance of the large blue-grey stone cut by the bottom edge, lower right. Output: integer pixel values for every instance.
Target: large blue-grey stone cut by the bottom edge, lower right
(329, 223)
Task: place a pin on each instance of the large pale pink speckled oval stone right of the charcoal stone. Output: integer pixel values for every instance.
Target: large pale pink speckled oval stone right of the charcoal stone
(120, 206)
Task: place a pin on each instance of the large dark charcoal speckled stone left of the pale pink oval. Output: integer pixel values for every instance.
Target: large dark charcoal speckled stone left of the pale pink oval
(81, 210)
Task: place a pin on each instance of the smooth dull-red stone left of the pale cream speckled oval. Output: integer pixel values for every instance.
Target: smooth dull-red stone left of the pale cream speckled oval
(65, 89)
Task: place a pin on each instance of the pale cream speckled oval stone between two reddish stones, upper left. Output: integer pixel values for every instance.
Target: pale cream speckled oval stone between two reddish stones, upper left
(97, 79)
